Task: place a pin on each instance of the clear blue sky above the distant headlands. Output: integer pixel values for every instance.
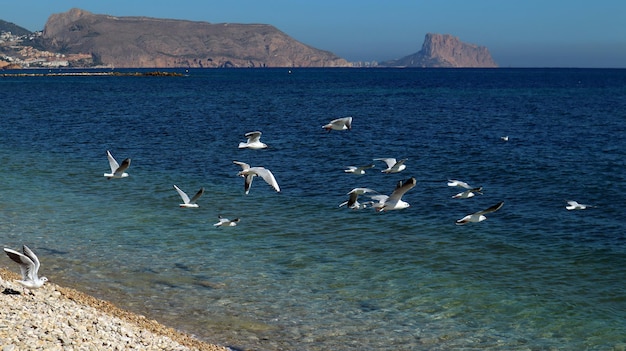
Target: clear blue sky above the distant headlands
(518, 33)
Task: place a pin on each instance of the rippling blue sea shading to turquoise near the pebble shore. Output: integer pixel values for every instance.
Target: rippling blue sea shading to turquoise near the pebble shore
(299, 272)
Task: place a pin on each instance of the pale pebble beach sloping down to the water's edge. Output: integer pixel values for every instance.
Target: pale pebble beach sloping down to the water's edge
(55, 318)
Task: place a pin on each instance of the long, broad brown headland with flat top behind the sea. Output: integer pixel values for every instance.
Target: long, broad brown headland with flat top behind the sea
(149, 42)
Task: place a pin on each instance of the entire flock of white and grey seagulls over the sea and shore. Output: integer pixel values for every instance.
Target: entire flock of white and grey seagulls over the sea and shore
(29, 263)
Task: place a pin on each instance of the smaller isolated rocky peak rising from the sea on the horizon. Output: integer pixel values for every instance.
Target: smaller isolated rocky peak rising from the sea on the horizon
(444, 50)
